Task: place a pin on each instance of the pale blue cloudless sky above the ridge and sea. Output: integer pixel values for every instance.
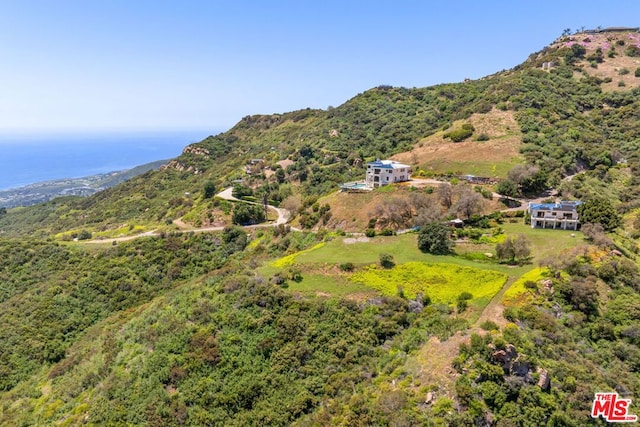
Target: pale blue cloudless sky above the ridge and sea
(154, 65)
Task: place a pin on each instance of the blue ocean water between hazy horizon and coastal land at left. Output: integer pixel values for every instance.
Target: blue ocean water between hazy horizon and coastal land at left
(27, 159)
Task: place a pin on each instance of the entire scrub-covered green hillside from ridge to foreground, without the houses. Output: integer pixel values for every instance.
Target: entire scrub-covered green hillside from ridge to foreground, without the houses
(489, 323)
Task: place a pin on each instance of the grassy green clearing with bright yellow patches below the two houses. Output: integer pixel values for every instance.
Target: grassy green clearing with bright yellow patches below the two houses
(320, 272)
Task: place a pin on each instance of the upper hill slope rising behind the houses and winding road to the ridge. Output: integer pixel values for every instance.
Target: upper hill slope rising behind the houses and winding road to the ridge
(563, 119)
